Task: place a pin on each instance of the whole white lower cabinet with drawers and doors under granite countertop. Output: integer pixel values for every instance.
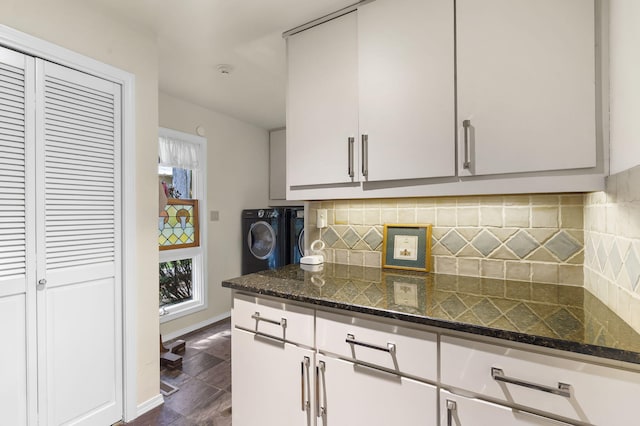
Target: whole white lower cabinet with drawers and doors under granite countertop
(293, 365)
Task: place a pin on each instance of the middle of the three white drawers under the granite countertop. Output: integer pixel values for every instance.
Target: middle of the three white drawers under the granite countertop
(403, 350)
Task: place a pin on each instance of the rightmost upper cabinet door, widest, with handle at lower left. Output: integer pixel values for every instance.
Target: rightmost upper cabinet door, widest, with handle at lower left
(526, 84)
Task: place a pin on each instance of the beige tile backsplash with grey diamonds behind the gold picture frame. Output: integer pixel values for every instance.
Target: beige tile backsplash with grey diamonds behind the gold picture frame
(535, 238)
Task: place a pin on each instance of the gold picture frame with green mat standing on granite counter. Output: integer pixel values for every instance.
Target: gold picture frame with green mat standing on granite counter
(407, 246)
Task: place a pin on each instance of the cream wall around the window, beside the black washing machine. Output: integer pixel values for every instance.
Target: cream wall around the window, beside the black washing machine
(237, 179)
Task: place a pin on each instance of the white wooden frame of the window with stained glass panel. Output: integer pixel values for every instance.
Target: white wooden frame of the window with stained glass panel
(198, 255)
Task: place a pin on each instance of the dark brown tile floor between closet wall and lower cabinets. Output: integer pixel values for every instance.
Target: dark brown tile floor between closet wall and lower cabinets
(204, 382)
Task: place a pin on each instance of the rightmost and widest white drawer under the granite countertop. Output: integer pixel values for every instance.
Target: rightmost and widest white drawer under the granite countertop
(597, 394)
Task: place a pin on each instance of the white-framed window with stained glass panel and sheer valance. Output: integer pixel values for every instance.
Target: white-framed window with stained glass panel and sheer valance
(182, 267)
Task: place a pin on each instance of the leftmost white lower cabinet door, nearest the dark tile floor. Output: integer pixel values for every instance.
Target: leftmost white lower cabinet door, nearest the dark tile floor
(271, 382)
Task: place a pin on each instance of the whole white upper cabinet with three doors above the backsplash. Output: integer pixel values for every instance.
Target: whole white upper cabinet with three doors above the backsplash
(405, 98)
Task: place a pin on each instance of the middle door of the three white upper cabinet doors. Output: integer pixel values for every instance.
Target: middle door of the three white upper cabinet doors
(406, 96)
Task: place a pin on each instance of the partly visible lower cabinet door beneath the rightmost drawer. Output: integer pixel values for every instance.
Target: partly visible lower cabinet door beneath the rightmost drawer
(460, 411)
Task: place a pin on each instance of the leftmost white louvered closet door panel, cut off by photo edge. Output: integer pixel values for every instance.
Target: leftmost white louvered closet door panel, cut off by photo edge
(17, 282)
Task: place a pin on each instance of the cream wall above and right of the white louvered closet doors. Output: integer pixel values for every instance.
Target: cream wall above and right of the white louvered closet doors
(77, 26)
